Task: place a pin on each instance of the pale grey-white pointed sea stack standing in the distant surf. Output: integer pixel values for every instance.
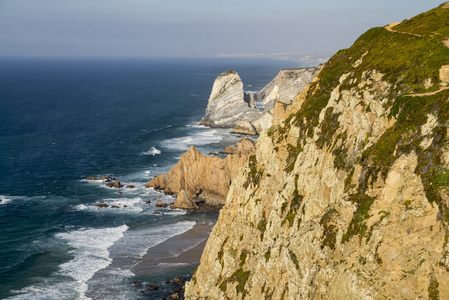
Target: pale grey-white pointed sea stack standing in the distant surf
(228, 103)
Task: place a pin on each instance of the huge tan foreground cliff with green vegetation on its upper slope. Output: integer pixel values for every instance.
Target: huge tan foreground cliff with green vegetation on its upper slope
(347, 194)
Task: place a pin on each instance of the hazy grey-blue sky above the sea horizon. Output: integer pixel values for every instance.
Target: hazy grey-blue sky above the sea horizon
(282, 29)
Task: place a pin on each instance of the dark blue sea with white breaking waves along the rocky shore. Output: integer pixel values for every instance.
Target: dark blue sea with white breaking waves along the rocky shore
(62, 120)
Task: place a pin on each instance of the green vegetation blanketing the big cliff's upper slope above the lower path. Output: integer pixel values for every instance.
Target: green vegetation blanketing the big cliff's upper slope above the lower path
(406, 62)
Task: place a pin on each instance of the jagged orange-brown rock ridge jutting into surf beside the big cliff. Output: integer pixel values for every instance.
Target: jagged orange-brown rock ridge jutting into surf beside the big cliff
(204, 177)
